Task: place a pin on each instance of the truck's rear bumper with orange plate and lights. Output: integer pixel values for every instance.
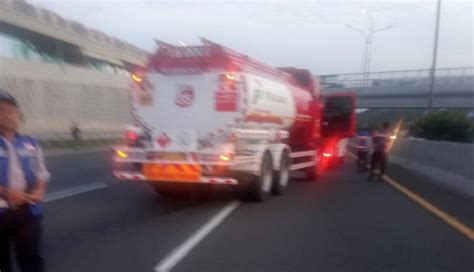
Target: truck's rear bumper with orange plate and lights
(204, 168)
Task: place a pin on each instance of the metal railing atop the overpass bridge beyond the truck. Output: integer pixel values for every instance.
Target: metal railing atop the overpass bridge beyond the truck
(443, 76)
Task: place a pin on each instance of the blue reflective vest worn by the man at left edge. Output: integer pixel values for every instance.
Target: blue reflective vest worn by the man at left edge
(26, 149)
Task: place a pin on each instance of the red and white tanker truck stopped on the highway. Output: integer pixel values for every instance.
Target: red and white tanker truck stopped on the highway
(209, 115)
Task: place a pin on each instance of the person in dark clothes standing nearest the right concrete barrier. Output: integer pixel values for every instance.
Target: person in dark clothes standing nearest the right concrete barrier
(380, 141)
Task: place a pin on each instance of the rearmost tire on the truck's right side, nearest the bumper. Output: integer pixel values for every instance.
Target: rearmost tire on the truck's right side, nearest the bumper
(262, 184)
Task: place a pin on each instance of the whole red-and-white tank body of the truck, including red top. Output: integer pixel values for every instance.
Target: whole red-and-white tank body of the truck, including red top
(202, 93)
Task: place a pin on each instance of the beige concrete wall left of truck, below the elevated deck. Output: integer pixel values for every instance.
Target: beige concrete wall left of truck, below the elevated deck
(51, 96)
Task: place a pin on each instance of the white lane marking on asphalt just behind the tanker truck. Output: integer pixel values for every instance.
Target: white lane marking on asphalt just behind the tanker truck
(180, 252)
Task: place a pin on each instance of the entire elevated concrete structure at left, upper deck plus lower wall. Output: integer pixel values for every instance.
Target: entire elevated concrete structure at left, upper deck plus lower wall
(62, 71)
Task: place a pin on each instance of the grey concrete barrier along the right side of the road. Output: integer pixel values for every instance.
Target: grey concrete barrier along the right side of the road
(448, 164)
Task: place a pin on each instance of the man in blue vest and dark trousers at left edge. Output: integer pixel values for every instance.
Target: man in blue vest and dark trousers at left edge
(23, 181)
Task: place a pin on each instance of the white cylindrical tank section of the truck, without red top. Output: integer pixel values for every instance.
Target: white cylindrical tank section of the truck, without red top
(209, 105)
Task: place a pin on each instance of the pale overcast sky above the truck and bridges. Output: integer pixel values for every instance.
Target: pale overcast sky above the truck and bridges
(306, 34)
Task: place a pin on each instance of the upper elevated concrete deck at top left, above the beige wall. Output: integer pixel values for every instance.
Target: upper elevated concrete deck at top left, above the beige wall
(51, 34)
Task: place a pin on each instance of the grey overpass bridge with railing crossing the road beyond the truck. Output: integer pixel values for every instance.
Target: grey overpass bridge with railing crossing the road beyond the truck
(454, 88)
